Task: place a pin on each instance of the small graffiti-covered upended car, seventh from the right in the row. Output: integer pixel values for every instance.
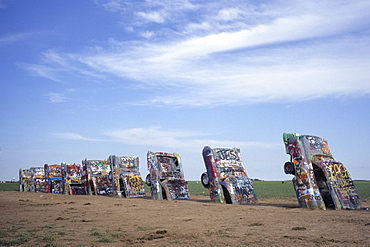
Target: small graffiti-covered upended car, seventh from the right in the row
(54, 179)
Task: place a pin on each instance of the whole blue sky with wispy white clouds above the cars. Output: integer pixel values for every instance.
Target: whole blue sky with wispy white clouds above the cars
(87, 79)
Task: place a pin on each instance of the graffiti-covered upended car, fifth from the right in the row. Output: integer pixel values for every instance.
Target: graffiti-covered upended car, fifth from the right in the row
(98, 177)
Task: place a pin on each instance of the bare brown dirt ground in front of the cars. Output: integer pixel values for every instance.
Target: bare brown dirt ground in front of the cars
(38, 219)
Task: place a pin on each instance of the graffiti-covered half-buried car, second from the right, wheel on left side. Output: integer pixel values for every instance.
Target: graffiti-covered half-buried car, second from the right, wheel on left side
(226, 178)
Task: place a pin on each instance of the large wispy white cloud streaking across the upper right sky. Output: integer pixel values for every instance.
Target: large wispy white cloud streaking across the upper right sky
(236, 54)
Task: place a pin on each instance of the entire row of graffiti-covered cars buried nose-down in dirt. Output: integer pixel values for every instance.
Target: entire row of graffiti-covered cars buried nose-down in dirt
(319, 180)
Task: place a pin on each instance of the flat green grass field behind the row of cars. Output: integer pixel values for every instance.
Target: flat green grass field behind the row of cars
(264, 189)
